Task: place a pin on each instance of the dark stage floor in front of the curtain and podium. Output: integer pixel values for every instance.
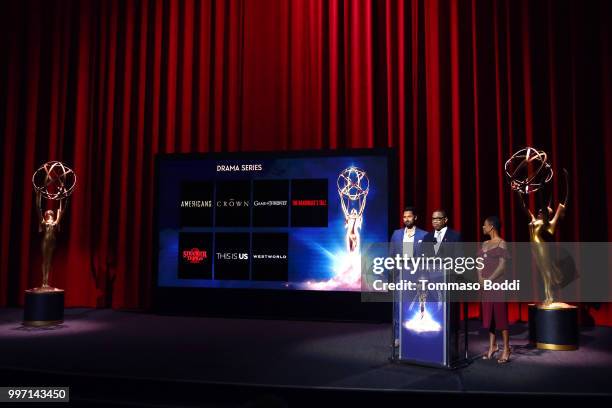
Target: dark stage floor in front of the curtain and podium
(160, 350)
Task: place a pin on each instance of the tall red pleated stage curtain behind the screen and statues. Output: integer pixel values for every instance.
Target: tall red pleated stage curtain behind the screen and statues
(455, 86)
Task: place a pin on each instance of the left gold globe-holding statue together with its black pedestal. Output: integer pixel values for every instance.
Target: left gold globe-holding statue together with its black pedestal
(53, 183)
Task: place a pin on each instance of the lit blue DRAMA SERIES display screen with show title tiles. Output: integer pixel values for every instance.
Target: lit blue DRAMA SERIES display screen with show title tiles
(268, 221)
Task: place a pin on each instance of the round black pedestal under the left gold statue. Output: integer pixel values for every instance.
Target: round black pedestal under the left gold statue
(43, 308)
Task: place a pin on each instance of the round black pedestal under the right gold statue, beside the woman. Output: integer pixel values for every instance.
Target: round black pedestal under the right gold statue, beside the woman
(557, 328)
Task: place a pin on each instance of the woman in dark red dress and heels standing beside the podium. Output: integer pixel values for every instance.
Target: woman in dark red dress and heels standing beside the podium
(494, 309)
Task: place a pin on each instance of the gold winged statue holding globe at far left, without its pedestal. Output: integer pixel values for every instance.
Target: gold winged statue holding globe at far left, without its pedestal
(54, 183)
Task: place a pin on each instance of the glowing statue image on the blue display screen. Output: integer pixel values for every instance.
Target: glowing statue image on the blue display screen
(353, 187)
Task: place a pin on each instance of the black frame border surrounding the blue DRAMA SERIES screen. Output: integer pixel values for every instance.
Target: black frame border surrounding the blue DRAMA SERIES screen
(270, 303)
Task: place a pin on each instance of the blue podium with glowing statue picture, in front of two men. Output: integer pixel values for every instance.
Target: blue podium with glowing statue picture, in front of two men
(427, 326)
